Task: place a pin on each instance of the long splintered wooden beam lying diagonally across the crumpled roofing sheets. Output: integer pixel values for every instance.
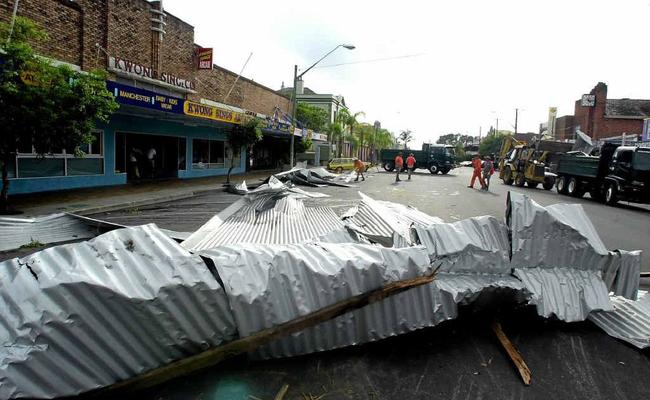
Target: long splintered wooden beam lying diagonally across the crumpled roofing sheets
(215, 355)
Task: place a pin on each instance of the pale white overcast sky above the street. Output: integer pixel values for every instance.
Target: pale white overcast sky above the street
(464, 63)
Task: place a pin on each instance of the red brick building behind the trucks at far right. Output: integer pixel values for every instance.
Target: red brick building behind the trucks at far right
(610, 117)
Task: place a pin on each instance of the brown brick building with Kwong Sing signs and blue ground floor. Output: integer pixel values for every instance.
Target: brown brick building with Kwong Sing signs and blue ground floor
(124, 37)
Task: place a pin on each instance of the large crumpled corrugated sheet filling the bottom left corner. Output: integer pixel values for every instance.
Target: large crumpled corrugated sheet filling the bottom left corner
(81, 316)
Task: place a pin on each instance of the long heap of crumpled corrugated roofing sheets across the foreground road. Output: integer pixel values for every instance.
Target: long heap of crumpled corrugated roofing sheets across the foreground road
(270, 260)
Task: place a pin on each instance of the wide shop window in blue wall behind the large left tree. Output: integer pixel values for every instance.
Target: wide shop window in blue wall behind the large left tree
(61, 162)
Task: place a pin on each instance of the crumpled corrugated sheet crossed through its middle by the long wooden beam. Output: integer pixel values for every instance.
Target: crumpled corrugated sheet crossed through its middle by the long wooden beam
(269, 285)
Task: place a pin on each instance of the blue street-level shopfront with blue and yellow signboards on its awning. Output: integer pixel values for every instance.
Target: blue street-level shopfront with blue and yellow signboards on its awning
(151, 136)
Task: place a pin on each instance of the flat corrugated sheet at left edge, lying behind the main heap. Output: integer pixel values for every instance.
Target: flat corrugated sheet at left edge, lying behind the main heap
(54, 228)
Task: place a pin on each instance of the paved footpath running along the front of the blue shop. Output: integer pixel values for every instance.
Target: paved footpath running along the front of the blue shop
(100, 199)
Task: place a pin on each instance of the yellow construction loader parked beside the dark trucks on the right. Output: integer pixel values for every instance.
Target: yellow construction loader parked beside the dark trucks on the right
(524, 164)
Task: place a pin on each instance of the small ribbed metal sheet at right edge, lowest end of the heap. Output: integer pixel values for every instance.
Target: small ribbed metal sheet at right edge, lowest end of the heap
(629, 321)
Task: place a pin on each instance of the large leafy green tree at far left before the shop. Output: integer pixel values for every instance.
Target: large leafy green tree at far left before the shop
(44, 106)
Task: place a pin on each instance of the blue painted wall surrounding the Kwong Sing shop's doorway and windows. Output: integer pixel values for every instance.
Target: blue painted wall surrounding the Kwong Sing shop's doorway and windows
(137, 124)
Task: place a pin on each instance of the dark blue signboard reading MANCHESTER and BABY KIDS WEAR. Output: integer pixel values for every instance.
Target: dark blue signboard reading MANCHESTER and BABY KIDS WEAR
(130, 95)
